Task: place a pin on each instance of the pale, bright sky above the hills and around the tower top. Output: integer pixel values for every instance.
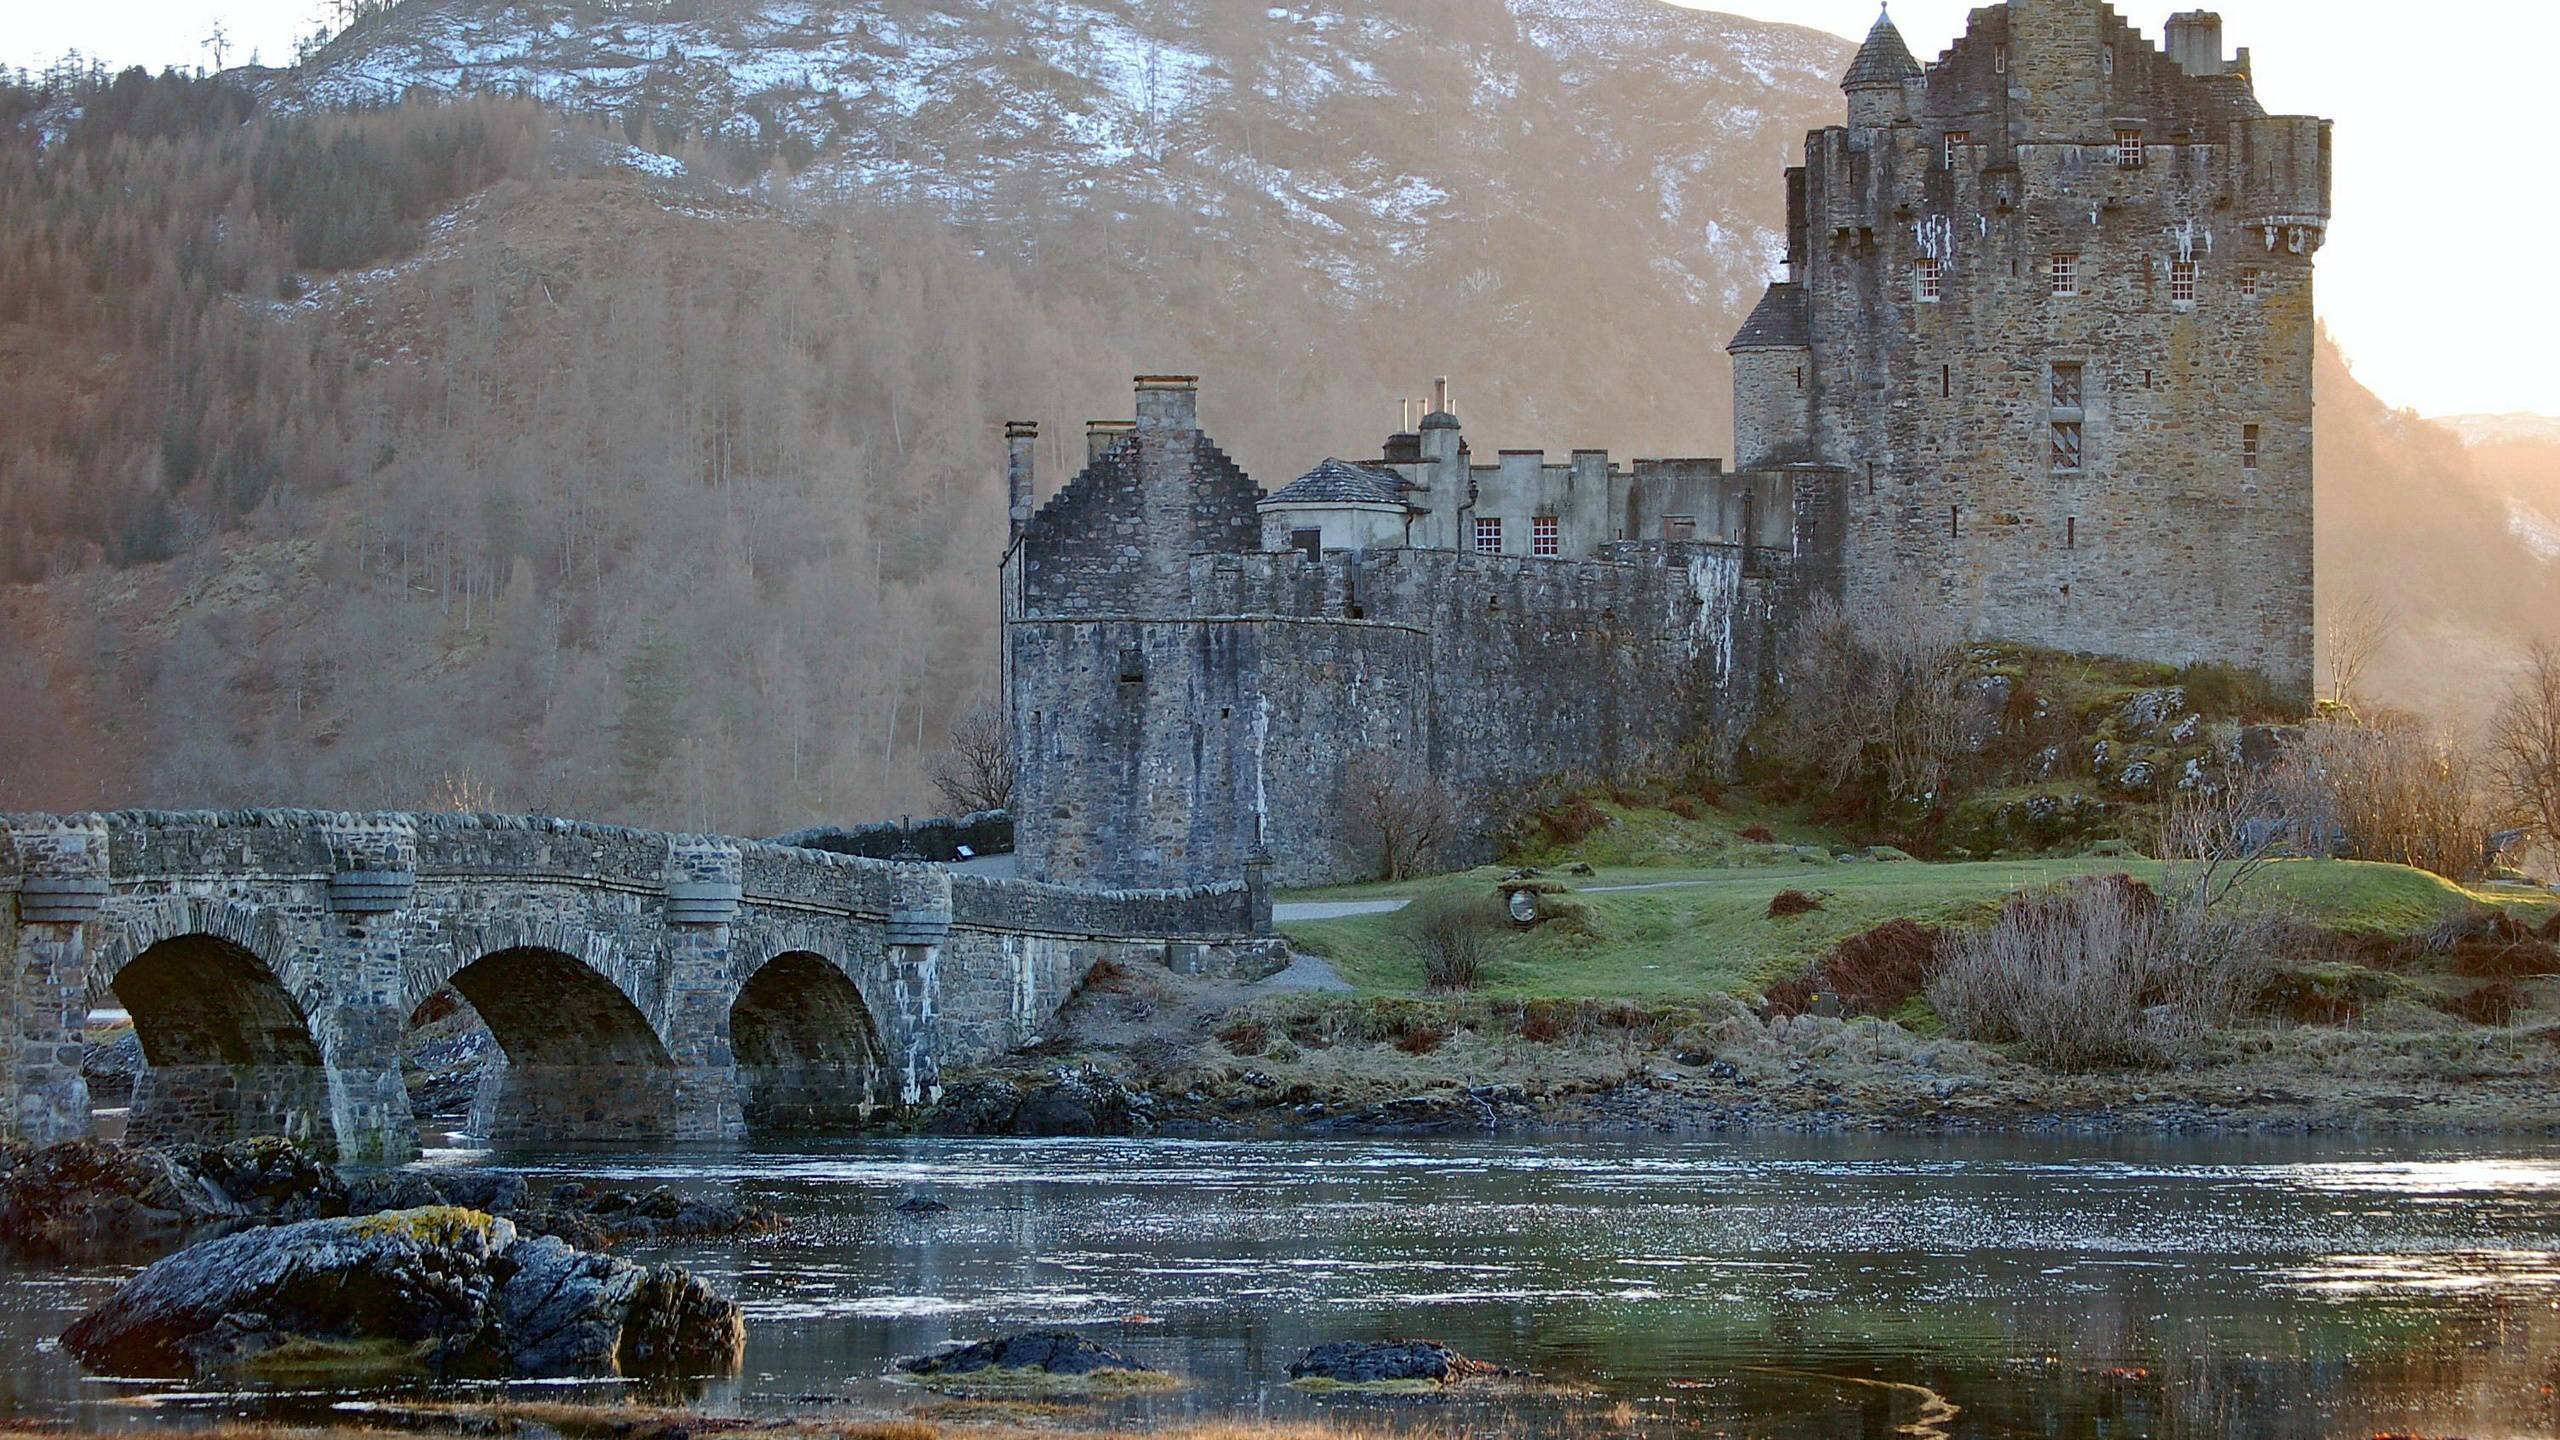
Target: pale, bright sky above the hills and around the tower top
(2441, 140)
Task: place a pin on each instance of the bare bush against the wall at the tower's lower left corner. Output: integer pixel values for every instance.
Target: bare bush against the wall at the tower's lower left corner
(1870, 703)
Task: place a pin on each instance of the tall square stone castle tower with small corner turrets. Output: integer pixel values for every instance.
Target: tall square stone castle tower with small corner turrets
(2049, 309)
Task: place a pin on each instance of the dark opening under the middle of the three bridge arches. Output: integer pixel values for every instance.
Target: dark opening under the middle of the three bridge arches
(580, 1060)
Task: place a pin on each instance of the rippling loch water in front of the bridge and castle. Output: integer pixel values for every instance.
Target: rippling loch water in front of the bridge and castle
(1655, 1288)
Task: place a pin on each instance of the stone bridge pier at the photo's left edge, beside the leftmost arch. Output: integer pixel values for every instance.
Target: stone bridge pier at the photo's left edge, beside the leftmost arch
(50, 978)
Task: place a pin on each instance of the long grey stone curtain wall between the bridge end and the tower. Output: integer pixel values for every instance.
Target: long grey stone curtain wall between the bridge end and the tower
(1166, 749)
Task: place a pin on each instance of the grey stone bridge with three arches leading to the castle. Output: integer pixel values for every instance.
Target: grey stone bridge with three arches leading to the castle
(639, 985)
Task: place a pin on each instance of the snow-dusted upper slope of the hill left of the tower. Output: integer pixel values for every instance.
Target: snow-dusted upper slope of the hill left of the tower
(1289, 119)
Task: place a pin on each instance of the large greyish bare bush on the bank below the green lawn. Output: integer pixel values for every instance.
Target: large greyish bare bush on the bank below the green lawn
(2106, 975)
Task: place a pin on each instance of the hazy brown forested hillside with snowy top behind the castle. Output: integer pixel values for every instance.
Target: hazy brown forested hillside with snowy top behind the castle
(593, 409)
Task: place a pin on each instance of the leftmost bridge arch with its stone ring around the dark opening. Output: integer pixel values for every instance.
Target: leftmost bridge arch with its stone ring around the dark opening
(229, 1042)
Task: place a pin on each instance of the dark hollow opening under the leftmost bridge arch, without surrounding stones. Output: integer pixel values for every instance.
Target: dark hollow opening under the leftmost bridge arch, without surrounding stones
(227, 1049)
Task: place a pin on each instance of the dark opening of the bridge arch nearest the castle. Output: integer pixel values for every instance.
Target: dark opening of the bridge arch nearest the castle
(808, 1047)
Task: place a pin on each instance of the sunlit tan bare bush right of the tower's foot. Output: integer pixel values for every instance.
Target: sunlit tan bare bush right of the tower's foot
(2390, 790)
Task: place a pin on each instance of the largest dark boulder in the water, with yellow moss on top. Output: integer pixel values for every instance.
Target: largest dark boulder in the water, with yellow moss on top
(436, 1293)
